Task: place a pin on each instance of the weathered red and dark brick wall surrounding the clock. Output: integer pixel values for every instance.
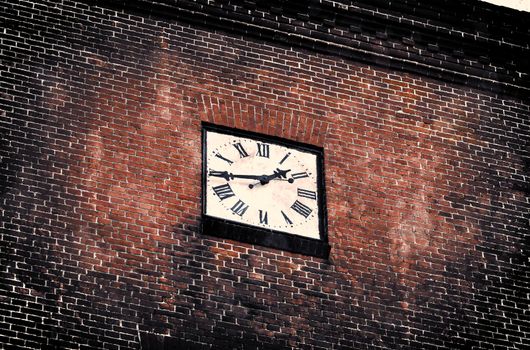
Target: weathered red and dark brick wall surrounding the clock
(426, 176)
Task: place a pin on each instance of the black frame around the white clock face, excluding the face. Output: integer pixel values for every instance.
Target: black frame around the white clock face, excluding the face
(225, 228)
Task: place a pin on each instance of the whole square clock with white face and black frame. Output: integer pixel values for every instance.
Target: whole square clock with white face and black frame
(263, 190)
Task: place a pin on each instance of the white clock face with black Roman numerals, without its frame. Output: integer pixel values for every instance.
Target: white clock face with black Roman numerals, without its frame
(262, 184)
